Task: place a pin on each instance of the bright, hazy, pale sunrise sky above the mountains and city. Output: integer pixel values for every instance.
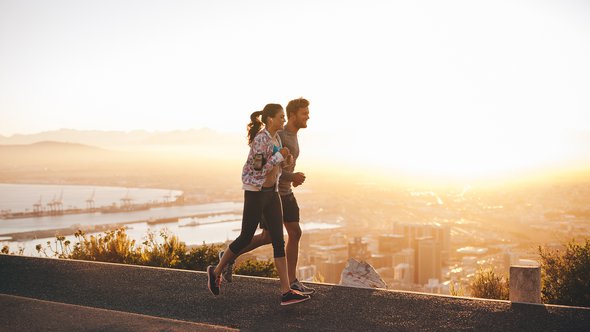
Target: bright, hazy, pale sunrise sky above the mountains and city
(454, 87)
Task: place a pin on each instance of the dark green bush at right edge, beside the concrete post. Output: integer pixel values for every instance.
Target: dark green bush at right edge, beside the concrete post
(566, 274)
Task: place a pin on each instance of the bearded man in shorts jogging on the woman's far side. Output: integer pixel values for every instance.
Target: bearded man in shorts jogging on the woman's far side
(297, 116)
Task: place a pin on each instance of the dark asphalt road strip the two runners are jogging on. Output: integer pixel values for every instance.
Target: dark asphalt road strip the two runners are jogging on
(252, 304)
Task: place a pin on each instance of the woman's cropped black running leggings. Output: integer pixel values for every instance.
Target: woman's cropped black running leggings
(257, 204)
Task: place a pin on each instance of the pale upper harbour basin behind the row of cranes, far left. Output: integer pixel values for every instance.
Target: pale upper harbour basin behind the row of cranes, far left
(22, 197)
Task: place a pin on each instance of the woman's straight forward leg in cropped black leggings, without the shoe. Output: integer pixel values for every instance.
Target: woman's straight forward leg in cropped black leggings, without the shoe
(273, 213)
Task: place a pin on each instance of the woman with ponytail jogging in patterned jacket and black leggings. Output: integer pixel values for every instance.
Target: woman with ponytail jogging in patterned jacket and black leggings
(259, 177)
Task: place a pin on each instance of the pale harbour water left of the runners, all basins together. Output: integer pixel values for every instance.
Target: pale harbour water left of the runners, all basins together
(222, 226)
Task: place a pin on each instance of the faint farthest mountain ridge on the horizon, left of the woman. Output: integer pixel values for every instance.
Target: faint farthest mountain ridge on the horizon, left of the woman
(109, 139)
